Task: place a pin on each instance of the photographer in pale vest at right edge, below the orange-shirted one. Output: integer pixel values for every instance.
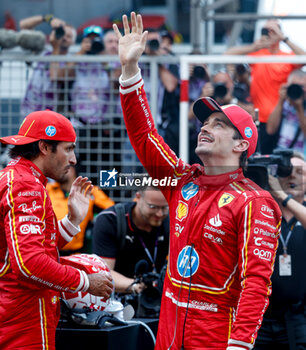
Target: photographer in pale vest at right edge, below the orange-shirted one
(288, 116)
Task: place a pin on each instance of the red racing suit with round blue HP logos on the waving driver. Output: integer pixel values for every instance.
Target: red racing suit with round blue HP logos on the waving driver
(225, 220)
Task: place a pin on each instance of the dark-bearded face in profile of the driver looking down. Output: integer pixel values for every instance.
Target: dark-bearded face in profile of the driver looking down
(57, 164)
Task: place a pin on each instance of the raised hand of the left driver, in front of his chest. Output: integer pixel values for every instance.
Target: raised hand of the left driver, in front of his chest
(78, 200)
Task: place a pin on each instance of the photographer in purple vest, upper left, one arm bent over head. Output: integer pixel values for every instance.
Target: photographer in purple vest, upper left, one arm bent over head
(50, 83)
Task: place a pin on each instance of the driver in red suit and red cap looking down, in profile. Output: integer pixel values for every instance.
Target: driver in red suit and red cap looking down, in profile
(31, 278)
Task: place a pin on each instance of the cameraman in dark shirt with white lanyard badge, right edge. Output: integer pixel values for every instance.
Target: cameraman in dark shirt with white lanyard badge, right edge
(284, 323)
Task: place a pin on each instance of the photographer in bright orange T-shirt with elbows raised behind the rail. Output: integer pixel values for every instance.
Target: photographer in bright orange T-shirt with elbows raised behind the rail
(268, 77)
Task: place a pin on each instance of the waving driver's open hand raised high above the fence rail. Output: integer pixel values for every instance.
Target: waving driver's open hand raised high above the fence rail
(131, 44)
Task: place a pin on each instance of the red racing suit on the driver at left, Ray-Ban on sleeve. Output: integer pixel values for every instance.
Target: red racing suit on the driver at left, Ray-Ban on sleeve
(30, 275)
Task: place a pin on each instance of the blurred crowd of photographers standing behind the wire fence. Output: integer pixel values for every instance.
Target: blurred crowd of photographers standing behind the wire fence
(87, 92)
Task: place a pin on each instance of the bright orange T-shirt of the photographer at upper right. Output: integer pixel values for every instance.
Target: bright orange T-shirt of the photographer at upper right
(266, 81)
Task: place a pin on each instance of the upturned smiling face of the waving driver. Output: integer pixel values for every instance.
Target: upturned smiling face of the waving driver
(216, 137)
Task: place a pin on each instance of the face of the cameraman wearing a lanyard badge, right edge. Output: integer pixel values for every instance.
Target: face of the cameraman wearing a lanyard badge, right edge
(295, 184)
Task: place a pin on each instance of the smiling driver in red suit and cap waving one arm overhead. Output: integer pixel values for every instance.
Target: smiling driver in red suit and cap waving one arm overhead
(223, 227)
